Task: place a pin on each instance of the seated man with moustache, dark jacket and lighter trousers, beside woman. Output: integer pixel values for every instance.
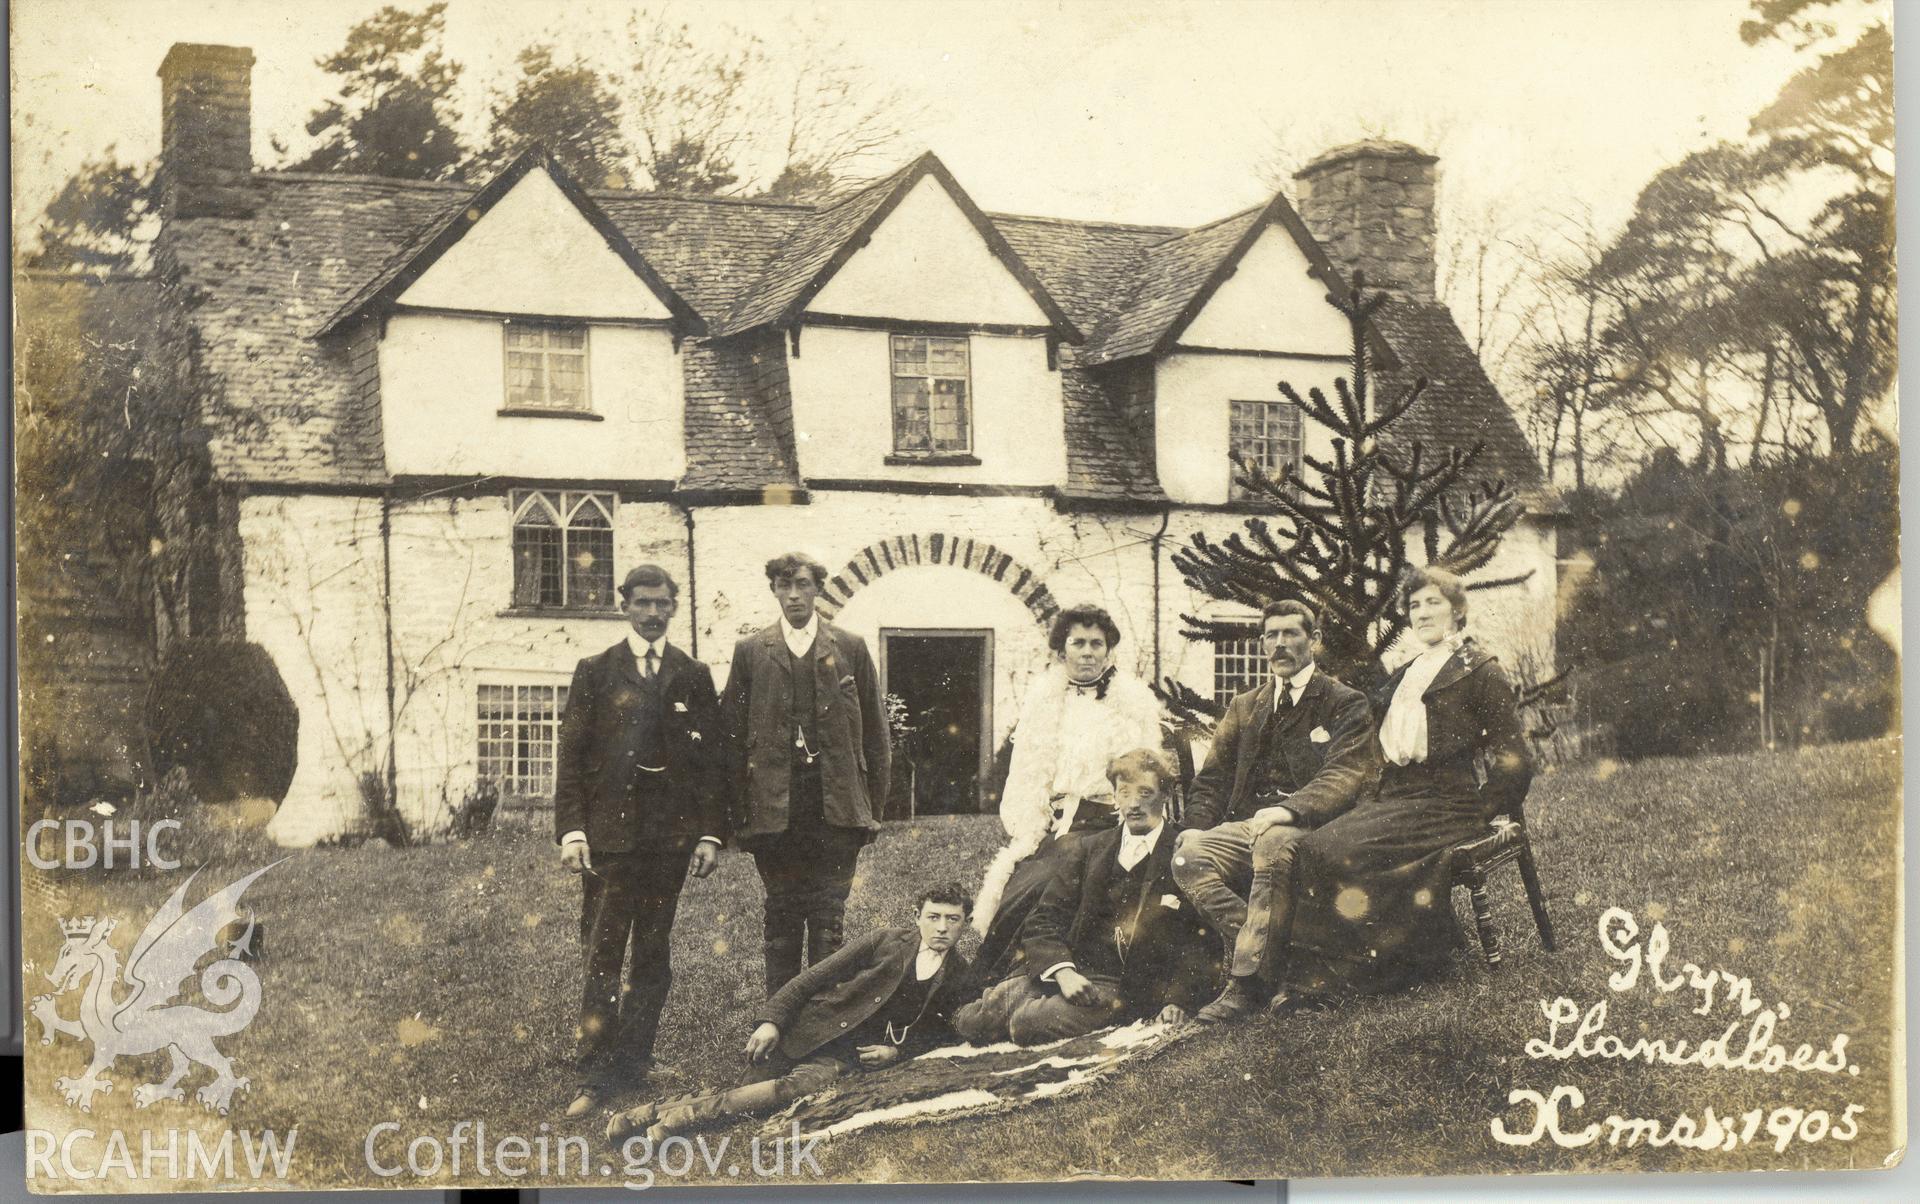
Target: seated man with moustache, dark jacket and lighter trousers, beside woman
(1287, 758)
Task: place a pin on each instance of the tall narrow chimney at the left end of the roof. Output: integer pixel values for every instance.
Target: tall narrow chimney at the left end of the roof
(206, 130)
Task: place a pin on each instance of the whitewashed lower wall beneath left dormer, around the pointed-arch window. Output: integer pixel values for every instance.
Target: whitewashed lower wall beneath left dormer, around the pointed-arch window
(314, 569)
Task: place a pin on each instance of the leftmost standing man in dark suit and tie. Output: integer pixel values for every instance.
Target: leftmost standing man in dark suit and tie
(636, 804)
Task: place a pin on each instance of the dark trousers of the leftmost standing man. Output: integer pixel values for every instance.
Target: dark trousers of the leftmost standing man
(627, 915)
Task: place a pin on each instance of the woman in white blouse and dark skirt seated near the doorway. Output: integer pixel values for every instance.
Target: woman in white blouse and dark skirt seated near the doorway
(1078, 717)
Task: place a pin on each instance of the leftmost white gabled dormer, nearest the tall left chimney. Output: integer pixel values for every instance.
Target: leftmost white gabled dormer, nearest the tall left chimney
(523, 335)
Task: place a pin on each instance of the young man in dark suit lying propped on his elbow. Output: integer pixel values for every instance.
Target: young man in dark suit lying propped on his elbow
(873, 1003)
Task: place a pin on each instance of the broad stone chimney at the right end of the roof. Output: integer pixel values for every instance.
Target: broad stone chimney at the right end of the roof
(1372, 208)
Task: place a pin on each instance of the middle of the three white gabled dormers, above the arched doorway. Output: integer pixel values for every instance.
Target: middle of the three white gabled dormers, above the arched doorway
(921, 347)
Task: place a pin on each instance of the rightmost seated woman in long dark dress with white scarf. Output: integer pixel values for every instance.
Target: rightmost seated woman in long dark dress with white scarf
(1372, 890)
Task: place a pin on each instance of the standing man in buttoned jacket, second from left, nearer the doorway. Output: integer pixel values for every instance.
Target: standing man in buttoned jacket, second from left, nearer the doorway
(811, 758)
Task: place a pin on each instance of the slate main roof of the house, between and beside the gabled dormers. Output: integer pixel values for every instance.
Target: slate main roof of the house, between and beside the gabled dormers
(287, 406)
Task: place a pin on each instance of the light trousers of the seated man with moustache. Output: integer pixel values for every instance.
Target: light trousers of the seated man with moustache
(1243, 884)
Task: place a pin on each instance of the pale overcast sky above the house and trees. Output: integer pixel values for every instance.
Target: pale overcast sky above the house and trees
(1126, 112)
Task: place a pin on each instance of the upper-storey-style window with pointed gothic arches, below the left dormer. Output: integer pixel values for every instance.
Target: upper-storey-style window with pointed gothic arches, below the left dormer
(564, 550)
